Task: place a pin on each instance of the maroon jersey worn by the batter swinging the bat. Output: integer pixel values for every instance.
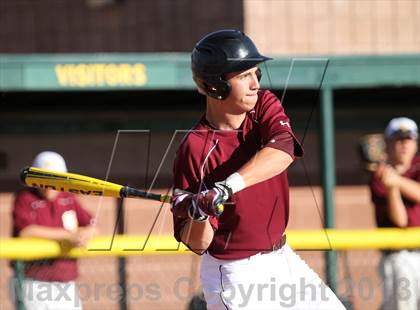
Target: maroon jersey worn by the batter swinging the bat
(255, 218)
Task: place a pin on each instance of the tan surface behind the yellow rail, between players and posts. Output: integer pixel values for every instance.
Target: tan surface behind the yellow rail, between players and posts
(168, 281)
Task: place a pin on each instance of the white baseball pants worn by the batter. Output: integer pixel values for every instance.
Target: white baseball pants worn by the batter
(275, 280)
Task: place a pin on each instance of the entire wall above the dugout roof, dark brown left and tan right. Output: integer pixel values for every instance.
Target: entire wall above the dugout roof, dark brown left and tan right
(285, 27)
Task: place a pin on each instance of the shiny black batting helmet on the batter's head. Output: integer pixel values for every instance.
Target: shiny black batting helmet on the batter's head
(219, 53)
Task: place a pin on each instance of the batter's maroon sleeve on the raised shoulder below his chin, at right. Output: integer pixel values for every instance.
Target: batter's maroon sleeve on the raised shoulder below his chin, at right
(275, 128)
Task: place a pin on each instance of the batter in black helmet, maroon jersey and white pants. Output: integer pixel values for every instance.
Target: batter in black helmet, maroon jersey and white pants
(237, 155)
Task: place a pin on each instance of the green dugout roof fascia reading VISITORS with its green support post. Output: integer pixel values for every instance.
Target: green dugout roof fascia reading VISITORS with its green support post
(324, 76)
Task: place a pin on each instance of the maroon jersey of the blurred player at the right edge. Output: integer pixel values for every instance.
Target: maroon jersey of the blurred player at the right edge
(378, 195)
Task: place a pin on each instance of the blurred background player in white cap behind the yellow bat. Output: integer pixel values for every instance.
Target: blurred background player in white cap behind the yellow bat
(53, 215)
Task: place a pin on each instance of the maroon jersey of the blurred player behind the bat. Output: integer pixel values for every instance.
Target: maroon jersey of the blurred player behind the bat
(31, 208)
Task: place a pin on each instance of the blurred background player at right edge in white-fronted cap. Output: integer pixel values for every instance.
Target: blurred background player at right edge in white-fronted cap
(395, 192)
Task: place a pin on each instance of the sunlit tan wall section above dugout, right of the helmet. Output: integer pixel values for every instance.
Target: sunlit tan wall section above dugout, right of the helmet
(308, 27)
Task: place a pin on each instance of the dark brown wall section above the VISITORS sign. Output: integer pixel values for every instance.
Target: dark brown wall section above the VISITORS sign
(59, 26)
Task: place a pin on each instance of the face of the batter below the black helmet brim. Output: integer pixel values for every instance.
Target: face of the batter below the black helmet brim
(245, 86)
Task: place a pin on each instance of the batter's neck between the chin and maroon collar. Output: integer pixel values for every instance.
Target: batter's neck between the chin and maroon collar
(220, 119)
